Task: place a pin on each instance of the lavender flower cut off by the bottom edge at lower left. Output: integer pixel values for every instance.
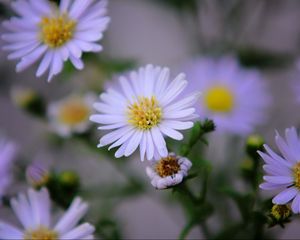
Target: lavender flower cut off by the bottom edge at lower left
(33, 211)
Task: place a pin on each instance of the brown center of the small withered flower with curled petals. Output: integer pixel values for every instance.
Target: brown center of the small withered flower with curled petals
(167, 166)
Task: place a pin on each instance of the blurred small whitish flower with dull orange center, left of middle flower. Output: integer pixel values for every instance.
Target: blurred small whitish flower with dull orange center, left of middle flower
(71, 115)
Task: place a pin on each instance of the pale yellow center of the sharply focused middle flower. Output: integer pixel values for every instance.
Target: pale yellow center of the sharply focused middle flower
(145, 113)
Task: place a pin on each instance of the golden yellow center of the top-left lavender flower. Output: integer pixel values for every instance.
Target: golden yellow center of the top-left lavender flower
(56, 31)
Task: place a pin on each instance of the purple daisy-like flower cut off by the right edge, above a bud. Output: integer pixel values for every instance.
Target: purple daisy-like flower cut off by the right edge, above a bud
(283, 171)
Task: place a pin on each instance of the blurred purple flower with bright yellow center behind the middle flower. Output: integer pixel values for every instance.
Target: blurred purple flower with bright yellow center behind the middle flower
(233, 97)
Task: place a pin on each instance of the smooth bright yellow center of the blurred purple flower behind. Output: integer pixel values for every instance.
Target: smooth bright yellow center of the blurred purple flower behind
(219, 99)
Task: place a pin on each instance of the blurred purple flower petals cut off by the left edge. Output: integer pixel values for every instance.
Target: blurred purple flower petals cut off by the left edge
(7, 154)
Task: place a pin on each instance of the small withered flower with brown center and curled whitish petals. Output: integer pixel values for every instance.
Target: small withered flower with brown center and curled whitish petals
(168, 171)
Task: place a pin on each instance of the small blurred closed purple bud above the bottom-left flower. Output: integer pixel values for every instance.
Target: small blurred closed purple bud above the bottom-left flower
(37, 174)
